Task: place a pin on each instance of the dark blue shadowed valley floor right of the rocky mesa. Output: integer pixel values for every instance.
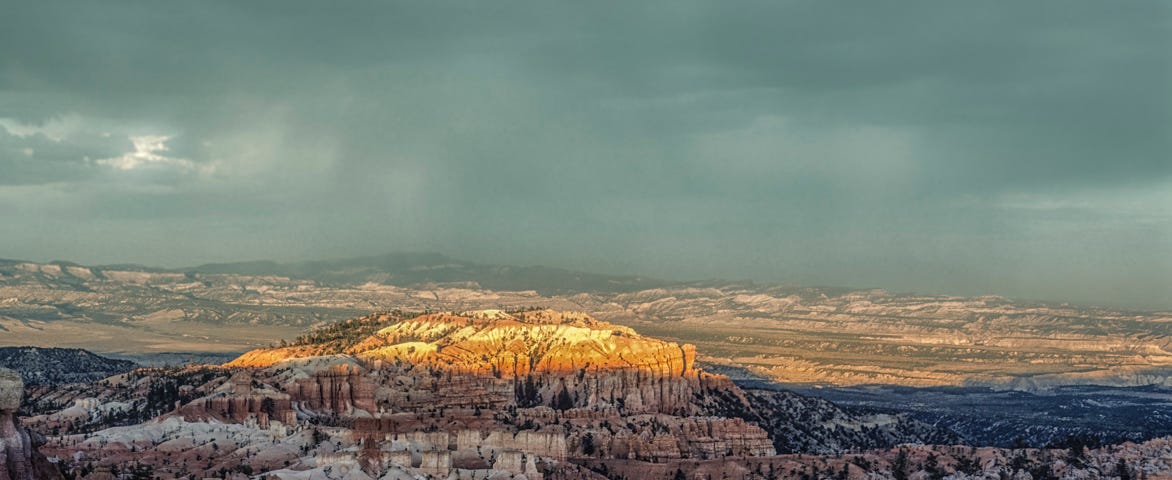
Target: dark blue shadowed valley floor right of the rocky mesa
(1089, 415)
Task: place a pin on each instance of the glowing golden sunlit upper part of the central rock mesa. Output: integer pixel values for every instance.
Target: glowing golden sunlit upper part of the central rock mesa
(493, 342)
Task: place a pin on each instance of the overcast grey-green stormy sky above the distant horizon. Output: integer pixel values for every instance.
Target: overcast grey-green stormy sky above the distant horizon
(944, 147)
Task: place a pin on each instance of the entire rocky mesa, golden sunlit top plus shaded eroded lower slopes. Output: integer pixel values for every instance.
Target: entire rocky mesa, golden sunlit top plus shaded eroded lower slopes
(535, 394)
